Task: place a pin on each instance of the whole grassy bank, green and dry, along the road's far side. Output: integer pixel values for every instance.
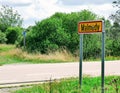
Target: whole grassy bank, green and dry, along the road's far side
(10, 54)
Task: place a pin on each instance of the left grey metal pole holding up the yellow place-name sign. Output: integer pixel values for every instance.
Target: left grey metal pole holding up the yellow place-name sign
(81, 58)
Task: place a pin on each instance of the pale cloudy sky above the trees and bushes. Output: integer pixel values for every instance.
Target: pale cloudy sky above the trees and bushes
(36, 10)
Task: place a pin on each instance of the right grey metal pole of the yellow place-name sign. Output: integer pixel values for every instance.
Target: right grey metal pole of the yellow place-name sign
(103, 59)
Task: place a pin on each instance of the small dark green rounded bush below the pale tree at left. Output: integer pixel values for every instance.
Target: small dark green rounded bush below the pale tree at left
(12, 34)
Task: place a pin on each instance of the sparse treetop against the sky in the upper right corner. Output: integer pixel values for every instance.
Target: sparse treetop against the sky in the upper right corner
(116, 17)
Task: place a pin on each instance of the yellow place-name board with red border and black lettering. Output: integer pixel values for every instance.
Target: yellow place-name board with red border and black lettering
(89, 27)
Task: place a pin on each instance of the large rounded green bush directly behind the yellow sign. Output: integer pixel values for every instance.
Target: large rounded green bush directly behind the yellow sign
(60, 32)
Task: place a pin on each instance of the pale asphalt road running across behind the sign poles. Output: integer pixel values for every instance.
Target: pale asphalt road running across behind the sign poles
(33, 72)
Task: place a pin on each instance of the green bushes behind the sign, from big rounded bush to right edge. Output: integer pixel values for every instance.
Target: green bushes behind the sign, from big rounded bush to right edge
(59, 32)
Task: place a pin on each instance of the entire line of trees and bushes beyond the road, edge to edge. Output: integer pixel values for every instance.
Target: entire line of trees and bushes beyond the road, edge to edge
(60, 31)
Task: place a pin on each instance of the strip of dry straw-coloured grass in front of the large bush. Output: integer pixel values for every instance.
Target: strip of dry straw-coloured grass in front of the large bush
(63, 56)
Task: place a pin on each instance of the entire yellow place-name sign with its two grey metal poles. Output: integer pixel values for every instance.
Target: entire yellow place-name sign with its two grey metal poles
(88, 27)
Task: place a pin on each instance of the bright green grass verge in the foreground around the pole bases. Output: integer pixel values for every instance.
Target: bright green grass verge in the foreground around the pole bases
(71, 85)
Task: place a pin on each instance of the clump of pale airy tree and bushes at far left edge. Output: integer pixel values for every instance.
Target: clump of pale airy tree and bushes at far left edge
(10, 24)
